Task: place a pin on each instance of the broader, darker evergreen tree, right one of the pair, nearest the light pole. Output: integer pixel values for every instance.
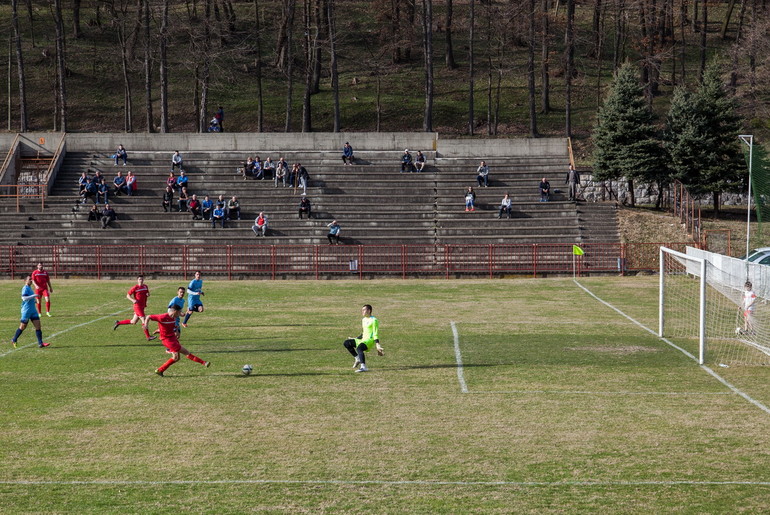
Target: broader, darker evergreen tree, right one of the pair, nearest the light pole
(701, 138)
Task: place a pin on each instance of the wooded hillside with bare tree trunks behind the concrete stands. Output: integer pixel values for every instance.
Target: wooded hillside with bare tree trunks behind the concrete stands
(465, 67)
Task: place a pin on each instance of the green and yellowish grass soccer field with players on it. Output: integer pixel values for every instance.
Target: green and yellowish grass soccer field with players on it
(493, 396)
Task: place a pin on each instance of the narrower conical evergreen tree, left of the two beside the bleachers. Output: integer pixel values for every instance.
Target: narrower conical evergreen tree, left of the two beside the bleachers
(625, 138)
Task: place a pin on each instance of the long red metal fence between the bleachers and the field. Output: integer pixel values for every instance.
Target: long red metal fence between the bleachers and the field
(322, 261)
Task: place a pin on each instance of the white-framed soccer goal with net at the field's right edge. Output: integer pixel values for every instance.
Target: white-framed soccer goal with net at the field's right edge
(702, 307)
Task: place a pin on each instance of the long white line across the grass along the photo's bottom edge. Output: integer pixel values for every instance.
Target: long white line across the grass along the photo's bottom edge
(335, 482)
